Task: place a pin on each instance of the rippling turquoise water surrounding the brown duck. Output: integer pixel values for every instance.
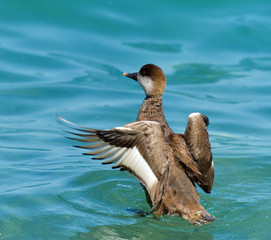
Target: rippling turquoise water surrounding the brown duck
(67, 57)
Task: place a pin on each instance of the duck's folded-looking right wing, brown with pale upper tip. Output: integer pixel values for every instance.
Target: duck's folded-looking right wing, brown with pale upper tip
(197, 140)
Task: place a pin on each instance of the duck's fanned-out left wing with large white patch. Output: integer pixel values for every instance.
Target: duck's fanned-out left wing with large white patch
(137, 147)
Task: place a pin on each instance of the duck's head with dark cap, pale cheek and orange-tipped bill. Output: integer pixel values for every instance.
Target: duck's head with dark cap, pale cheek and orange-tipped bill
(151, 78)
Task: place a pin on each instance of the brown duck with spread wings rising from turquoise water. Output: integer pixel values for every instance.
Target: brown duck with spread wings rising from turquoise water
(168, 165)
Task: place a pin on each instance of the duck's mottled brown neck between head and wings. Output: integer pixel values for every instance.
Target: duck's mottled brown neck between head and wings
(152, 110)
